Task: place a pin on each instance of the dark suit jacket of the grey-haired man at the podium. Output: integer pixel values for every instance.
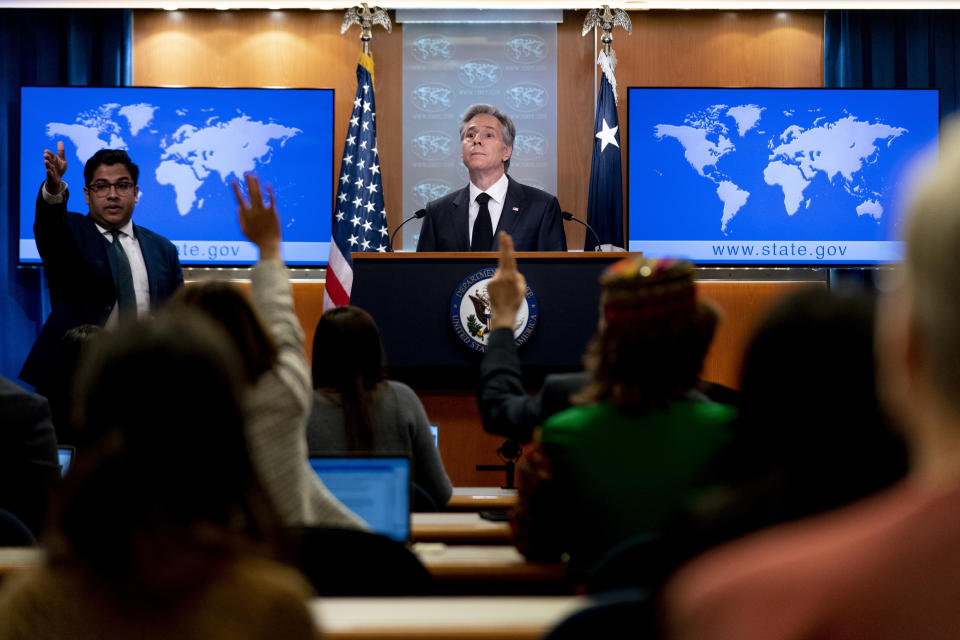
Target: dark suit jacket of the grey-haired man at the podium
(532, 218)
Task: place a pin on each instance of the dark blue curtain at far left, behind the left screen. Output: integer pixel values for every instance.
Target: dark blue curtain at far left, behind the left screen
(83, 47)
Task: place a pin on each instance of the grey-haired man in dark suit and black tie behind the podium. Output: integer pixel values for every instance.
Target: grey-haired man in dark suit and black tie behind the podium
(469, 219)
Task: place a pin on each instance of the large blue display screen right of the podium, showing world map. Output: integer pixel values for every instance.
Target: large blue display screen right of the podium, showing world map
(773, 176)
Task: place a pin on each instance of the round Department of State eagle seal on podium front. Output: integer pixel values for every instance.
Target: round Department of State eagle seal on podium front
(470, 312)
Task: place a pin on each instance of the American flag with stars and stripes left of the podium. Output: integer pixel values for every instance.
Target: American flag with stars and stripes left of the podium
(359, 219)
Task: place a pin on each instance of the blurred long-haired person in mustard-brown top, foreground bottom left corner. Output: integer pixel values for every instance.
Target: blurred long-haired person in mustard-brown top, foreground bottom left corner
(162, 530)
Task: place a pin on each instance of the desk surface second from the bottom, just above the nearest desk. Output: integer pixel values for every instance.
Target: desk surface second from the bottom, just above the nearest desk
(486, 562)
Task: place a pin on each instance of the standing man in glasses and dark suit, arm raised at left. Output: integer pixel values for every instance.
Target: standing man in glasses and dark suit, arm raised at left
(102, 268)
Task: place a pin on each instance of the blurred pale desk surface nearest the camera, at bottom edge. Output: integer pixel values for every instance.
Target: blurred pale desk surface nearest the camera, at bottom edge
(459, 618)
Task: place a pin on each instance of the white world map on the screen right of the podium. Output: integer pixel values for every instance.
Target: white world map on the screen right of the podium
(800, 147)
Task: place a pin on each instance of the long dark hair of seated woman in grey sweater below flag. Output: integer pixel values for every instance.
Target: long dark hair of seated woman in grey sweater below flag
(348, 360)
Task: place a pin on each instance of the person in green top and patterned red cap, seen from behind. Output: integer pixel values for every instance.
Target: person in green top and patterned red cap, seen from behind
(625, 460)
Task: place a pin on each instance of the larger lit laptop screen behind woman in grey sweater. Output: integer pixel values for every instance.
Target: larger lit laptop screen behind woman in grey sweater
(377, 489)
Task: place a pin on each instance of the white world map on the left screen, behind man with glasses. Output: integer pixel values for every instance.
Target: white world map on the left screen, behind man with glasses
(185, 150)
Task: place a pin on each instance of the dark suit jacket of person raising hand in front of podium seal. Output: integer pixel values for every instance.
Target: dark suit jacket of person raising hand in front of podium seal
(505, 406)
